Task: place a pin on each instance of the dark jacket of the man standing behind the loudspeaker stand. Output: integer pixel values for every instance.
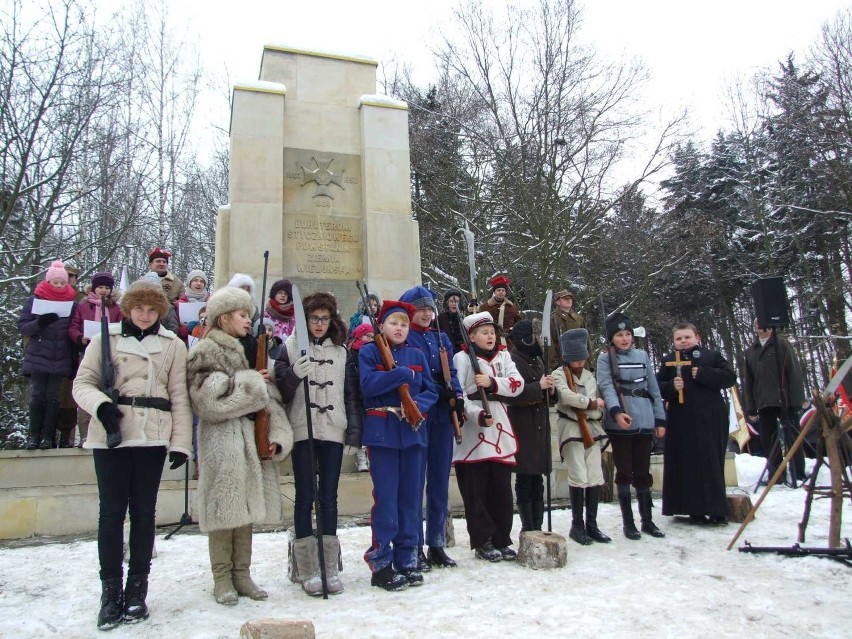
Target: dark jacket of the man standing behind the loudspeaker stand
(762, 379)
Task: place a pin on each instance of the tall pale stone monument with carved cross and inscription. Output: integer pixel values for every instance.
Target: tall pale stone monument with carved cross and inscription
(320, 177)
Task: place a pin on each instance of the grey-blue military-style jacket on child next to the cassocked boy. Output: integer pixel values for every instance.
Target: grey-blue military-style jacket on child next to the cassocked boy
(637, 378)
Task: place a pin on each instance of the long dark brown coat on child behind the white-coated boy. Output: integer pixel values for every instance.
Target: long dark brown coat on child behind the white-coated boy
(528, 416)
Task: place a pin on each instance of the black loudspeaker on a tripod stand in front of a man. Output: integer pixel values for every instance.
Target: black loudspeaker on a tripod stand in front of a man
(773, 312)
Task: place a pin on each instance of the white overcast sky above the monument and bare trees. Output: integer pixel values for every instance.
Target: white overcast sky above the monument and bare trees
(692, 49)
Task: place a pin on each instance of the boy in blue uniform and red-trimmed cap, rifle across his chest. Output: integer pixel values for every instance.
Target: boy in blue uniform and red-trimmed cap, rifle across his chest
(397, 451)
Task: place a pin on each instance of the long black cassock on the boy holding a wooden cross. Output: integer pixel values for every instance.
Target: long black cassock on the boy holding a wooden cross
(696, 434)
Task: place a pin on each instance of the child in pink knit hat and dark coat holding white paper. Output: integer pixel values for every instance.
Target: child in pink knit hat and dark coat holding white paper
(48, 352)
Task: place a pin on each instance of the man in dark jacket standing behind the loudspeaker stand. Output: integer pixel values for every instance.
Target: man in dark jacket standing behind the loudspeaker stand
(772, 395)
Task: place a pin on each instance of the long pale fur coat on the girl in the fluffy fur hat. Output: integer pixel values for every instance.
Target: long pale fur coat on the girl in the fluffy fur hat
(235, 488)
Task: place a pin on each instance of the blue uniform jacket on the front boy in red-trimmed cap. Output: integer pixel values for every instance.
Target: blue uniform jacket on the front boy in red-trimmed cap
(379, 388)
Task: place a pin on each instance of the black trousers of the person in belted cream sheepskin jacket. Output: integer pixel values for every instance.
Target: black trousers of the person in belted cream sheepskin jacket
(128, 478)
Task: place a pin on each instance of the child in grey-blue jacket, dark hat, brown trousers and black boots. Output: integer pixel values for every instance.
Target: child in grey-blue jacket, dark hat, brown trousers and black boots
(631, 427)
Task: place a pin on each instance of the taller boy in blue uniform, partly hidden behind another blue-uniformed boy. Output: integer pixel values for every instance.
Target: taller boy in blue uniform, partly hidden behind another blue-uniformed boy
(439, 455)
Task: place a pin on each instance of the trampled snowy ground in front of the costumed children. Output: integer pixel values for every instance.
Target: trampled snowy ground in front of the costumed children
(684, 585)
